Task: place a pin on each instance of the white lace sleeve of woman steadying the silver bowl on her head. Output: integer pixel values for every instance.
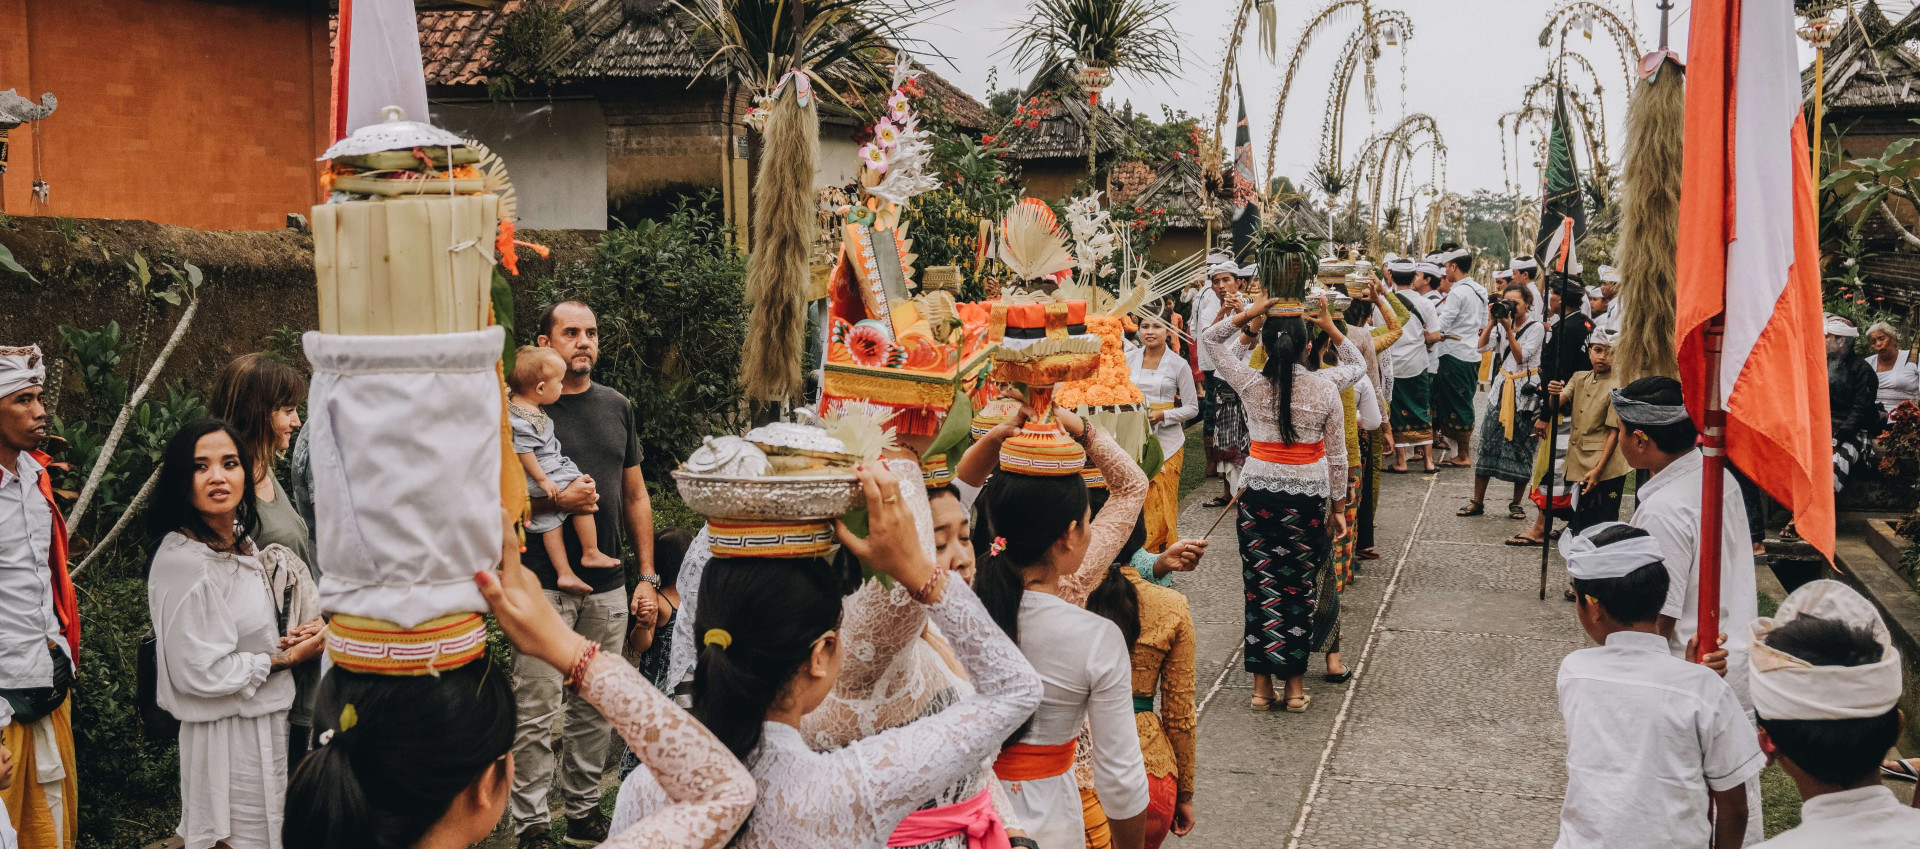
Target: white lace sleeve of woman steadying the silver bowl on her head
(900, 769)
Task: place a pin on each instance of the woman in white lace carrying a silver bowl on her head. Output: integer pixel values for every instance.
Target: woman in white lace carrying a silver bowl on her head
(771, 654)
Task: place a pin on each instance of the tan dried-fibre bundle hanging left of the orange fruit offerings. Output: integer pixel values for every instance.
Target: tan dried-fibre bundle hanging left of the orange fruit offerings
(784, 230)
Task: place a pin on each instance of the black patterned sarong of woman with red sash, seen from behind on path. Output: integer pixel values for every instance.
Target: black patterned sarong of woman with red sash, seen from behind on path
(1284, 552)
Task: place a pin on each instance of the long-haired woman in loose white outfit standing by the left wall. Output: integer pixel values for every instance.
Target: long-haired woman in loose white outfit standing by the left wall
(222, 648)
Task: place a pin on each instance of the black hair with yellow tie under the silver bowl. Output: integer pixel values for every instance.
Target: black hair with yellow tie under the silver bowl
(757, 625)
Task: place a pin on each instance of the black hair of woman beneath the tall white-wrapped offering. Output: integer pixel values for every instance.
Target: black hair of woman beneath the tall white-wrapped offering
(400, 752)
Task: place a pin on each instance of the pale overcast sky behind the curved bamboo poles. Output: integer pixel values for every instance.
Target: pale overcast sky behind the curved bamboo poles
(1466, 64)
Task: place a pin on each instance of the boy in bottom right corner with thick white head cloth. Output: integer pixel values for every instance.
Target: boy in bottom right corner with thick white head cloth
(1827, 685)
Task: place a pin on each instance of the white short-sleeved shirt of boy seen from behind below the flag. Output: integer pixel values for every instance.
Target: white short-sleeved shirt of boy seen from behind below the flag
(1646, 737)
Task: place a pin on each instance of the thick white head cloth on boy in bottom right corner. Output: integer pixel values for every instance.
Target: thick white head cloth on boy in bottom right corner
(1785, 687)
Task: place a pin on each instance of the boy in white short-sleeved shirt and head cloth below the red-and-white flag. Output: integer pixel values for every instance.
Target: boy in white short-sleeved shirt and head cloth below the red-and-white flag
(1650, 739)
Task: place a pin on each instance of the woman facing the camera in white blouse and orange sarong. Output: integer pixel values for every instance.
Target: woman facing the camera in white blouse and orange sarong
(1172, 402)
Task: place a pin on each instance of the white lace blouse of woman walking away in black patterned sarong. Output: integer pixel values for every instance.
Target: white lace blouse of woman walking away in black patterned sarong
(1318, 416)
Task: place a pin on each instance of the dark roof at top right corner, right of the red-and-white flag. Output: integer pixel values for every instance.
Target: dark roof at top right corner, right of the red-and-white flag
(1871, 68)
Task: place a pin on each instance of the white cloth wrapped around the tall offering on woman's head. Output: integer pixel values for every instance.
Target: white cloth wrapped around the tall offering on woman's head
(406, 472)
